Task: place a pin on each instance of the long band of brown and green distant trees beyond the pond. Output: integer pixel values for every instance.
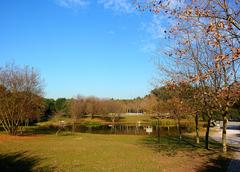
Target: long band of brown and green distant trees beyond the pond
(154, 103)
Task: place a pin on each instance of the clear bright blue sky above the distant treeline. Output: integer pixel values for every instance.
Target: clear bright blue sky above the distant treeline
(100, 48)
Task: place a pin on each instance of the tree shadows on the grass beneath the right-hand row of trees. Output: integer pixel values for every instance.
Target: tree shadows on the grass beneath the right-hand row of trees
(170, 146)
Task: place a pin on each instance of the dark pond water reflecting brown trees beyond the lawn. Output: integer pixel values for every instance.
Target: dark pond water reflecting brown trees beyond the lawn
(128, 129)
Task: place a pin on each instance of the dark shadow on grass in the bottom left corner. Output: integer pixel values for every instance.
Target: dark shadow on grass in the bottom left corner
(21, 162)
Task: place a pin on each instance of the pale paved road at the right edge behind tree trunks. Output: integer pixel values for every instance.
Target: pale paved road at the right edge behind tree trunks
(233, 139)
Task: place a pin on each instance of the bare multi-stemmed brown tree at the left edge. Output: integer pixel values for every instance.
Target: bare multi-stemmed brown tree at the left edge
(20, 97)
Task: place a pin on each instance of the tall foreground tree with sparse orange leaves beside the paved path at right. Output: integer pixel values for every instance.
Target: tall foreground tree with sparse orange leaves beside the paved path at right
(207, 41)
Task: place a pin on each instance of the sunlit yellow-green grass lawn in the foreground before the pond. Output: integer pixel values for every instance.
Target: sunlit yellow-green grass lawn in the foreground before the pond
(92, 152)
